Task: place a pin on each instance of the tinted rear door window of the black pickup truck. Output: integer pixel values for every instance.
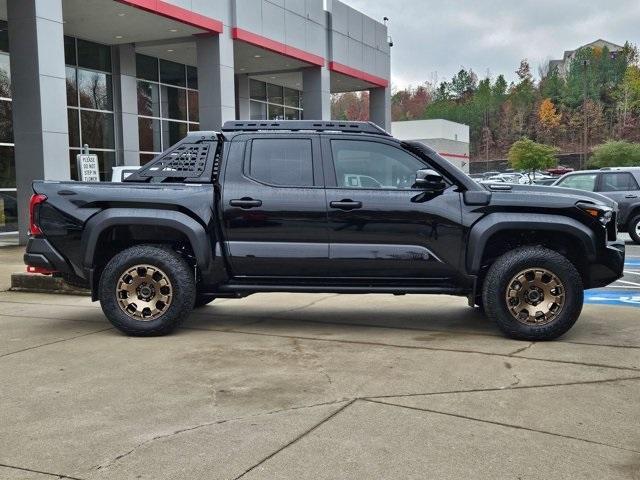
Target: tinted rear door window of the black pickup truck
(286, 162)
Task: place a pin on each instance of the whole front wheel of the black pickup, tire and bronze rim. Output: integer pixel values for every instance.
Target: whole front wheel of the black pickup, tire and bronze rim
(533, 293)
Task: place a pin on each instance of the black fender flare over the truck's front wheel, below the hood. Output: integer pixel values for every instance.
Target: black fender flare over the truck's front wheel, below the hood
(497, 222)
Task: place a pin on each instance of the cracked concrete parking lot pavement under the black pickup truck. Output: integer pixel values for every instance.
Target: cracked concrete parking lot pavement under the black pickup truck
(318, 386)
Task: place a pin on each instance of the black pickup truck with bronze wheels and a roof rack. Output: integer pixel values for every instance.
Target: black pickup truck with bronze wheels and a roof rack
(307, 206)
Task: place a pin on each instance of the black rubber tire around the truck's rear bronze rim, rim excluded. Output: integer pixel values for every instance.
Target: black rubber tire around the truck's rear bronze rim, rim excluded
(179, 274)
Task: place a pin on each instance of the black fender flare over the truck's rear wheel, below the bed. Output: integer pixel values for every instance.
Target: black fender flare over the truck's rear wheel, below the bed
(194, 231)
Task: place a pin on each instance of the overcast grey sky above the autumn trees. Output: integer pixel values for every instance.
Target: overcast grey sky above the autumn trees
(434, 38)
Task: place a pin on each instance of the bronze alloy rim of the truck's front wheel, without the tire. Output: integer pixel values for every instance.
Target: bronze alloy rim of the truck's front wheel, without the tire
(535, 296)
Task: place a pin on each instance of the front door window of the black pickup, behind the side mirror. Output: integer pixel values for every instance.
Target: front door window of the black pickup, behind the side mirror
(369, 165)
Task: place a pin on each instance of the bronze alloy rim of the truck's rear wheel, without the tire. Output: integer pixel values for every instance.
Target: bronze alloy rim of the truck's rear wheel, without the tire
(144, 292)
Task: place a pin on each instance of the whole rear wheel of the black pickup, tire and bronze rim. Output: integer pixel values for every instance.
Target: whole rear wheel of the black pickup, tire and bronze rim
(147, 290)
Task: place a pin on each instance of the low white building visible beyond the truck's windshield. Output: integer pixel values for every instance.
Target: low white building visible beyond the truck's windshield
(449, 139)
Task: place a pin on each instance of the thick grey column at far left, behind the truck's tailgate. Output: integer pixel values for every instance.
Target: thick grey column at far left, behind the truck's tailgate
(38, 83)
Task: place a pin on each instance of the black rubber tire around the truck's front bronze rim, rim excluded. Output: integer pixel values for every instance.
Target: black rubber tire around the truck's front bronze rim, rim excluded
(497, 283)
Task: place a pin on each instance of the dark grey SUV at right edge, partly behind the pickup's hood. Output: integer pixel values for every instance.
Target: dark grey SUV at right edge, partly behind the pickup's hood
(620, 184)
